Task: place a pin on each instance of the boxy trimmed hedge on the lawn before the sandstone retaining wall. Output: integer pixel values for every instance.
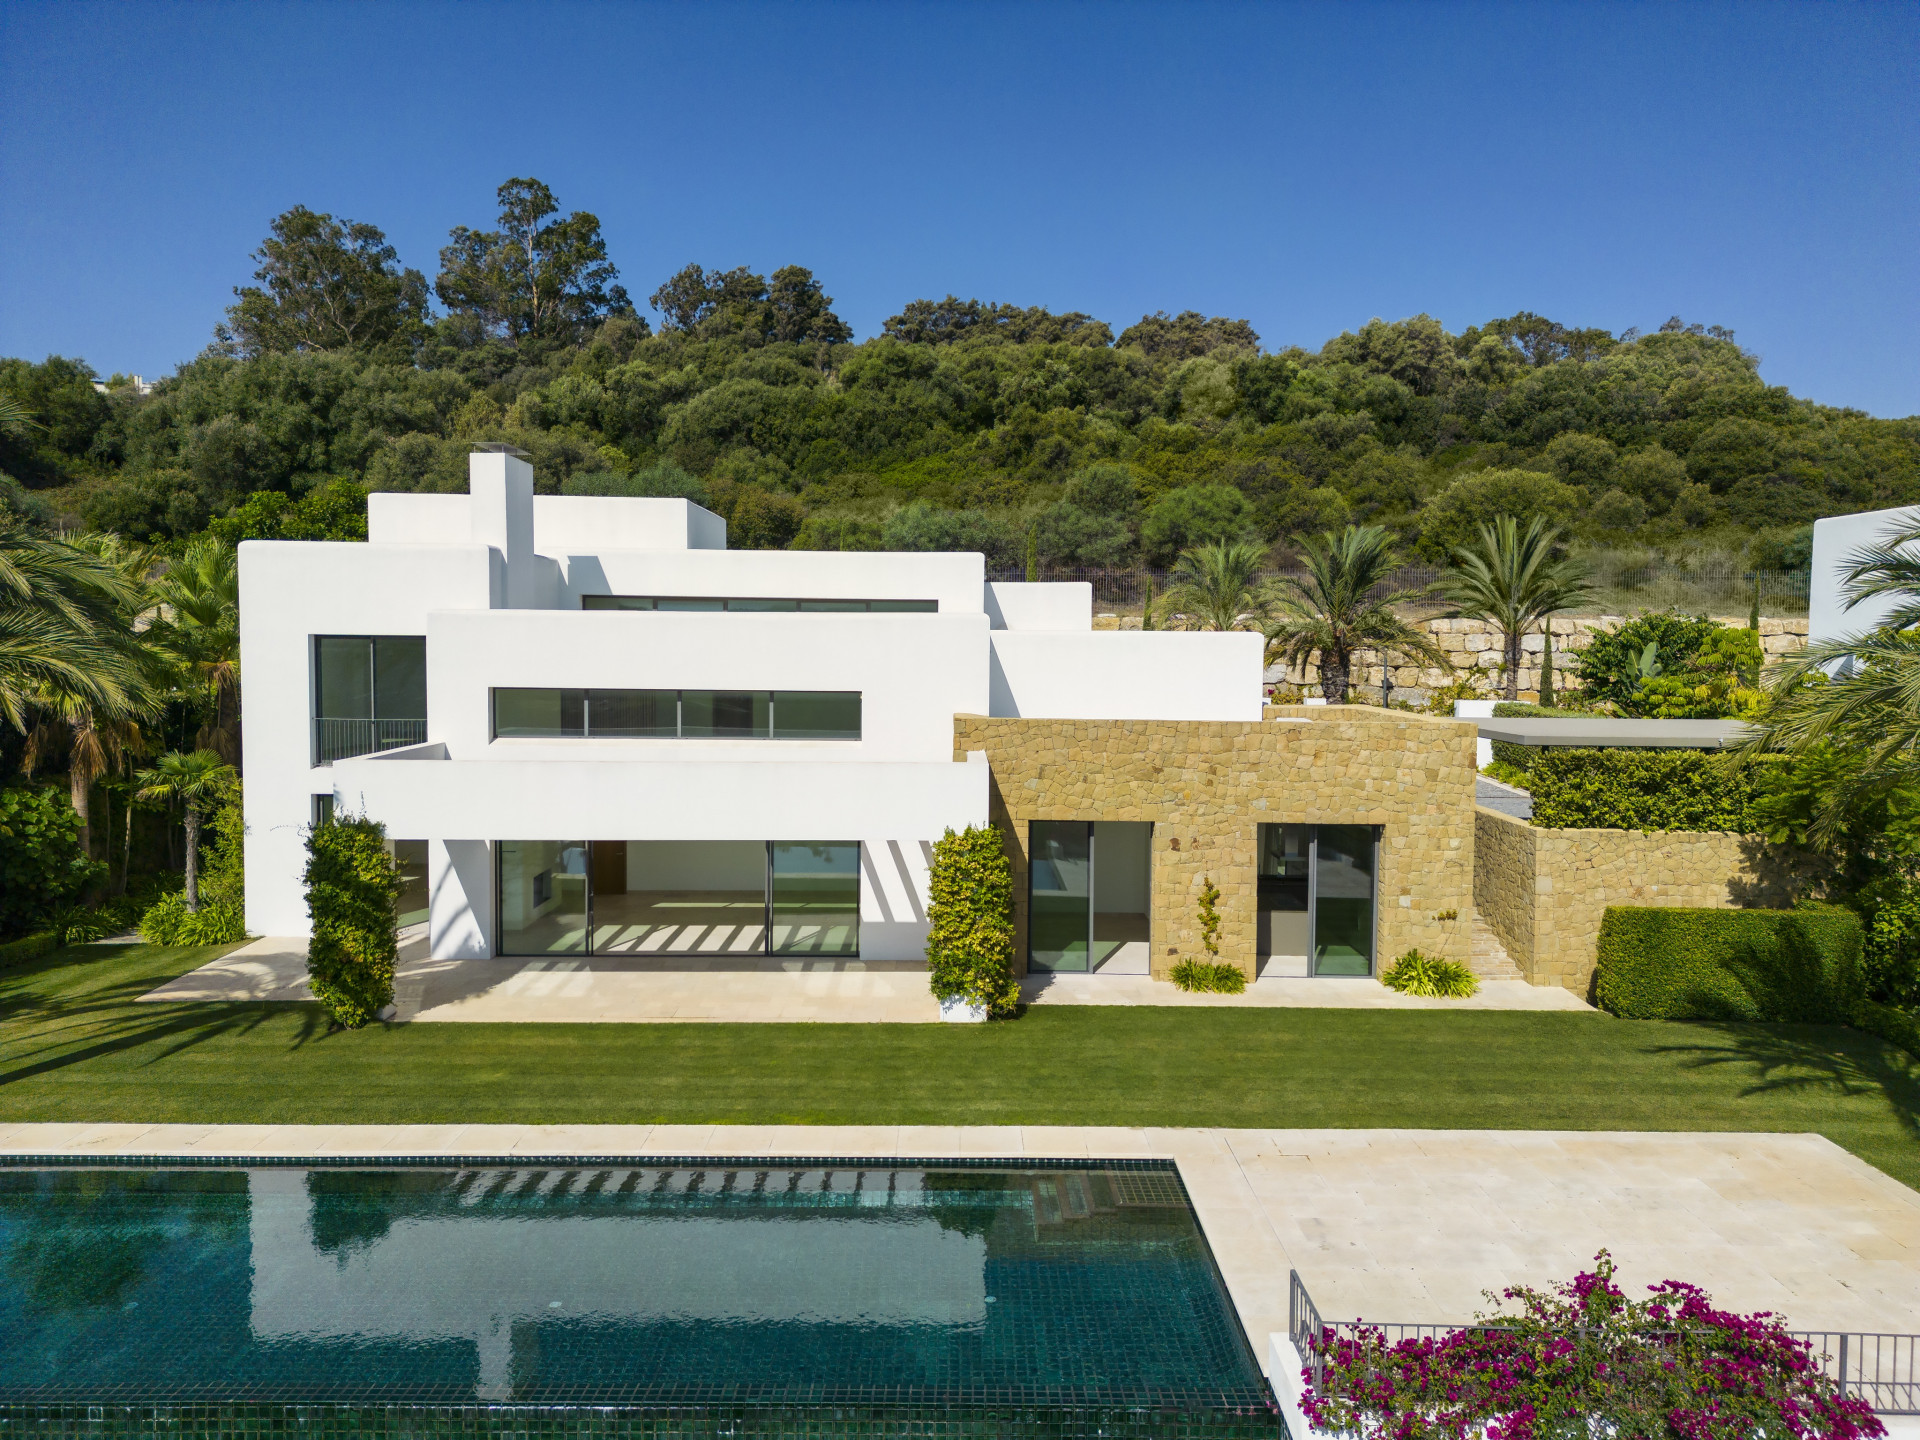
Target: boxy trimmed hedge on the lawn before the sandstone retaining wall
(1733, 965)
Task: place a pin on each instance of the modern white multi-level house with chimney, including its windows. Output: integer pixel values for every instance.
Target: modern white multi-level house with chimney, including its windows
(590, 729)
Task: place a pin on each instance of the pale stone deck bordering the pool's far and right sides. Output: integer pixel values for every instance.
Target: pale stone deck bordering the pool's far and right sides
(1391, 1226)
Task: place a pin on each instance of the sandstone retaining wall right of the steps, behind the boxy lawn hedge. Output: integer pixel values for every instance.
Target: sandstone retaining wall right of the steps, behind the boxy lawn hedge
(1545, 892)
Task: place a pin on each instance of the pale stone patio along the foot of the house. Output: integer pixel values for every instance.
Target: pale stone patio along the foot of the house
(775, 990)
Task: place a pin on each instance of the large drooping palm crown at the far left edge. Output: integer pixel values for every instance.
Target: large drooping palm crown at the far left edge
(64, 627)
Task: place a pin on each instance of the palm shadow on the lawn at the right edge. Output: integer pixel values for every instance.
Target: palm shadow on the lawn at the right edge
(1810, 1061)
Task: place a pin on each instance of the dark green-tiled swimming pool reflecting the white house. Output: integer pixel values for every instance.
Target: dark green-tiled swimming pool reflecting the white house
(754, 1297)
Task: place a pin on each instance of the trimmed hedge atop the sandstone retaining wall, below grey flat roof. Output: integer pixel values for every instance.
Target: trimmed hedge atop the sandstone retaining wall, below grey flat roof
(1635, 790)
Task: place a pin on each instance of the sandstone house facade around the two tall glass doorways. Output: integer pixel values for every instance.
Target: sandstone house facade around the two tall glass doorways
(1209, 786)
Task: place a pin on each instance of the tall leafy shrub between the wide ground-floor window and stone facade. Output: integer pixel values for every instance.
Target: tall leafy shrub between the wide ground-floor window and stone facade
(971, 913)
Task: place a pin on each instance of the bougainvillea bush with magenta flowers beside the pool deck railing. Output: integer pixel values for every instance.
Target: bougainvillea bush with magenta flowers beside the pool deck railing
(1583, 1360)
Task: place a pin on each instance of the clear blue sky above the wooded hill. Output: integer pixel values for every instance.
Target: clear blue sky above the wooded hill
(1301, 166)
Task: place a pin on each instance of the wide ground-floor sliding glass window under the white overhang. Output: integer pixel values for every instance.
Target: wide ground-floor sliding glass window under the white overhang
(681, 898)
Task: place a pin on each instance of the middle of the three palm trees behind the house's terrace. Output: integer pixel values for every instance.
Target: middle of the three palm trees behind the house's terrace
(1332, 610)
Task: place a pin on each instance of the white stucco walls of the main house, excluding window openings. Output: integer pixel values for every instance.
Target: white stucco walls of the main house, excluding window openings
(494, 581)
